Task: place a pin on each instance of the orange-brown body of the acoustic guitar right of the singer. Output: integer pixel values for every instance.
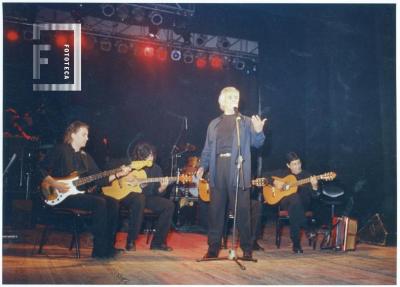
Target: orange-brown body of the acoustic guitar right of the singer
(273, 195)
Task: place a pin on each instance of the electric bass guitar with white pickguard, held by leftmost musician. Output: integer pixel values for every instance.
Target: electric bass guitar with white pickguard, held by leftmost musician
(54, 196)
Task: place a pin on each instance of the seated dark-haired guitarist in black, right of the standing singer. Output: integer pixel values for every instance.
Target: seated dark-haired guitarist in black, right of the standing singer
(297, 203)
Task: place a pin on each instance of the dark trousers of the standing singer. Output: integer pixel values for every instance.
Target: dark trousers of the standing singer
(220, 196)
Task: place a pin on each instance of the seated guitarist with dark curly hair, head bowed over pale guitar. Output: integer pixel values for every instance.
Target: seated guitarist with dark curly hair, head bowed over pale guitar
(151, 197)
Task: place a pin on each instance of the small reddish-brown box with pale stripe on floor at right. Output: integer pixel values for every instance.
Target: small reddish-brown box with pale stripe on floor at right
(344, 233)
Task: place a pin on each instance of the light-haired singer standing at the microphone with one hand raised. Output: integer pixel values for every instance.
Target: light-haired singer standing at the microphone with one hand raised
(220, 154)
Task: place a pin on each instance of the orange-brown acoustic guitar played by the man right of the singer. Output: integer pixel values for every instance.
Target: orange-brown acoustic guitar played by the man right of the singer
(273, 195)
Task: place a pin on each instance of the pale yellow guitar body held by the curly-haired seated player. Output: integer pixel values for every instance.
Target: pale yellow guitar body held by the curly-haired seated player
(120, 188)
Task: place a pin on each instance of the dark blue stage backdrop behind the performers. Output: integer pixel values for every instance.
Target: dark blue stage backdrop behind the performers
(326, 79)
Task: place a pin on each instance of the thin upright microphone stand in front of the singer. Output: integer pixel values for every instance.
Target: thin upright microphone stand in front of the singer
(239, 172)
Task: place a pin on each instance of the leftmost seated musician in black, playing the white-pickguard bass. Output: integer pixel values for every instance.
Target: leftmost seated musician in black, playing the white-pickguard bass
(68, 158)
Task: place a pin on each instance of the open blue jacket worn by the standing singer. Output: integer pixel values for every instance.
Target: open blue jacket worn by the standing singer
(248, 138)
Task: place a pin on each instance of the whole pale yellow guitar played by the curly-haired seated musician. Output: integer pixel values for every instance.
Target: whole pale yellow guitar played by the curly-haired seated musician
(133, 182)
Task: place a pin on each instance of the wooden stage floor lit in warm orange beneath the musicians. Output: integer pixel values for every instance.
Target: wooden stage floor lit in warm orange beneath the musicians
(368, 265)
